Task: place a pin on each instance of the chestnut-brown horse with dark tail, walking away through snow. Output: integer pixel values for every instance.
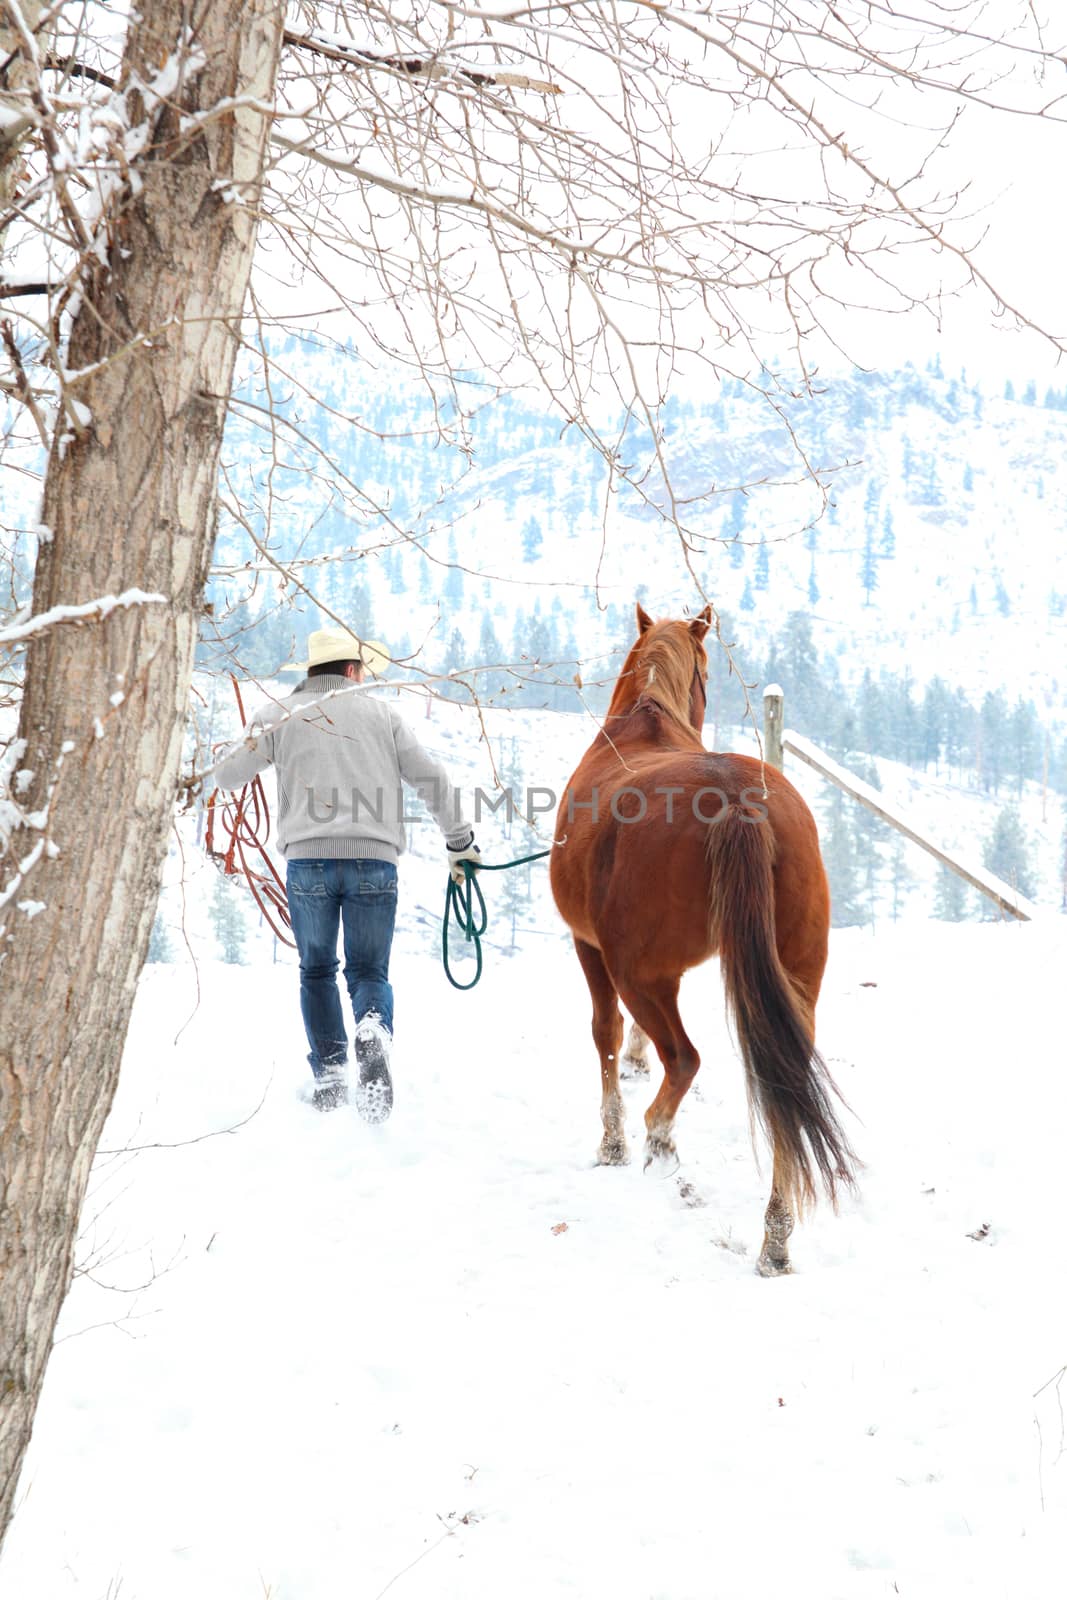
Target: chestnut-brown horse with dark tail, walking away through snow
(668, 855)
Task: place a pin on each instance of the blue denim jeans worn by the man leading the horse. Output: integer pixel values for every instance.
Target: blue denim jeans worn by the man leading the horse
(361, 897)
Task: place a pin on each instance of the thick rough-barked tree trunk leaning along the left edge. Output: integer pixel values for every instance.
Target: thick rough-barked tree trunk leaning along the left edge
(130, 502)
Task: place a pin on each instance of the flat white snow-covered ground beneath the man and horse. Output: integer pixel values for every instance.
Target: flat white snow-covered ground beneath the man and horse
(450, 1359)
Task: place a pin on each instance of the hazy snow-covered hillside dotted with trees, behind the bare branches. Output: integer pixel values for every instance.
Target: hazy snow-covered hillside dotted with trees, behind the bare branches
(941, 551)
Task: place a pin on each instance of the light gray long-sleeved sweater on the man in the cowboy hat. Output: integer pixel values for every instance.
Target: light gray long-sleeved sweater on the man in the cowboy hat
(342, 759)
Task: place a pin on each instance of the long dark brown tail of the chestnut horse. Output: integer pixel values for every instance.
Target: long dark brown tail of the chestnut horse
(789, 1086)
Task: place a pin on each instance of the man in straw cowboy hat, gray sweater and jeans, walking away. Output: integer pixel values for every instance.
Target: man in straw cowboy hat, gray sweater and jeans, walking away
(342, 758)
